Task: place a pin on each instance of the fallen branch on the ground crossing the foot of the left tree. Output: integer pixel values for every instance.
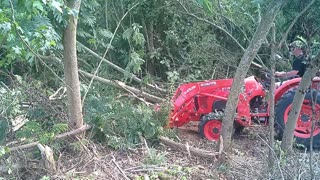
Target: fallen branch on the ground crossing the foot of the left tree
(59, 136)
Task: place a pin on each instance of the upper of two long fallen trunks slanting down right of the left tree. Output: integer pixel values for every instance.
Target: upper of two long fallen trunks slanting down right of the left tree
(134, 77)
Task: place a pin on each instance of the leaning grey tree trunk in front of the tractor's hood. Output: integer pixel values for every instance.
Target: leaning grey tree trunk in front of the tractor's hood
(246, 60)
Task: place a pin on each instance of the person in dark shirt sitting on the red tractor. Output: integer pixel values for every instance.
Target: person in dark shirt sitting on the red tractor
(299, 63)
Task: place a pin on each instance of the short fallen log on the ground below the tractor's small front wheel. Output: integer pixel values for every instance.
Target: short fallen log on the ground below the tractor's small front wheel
(195, 151)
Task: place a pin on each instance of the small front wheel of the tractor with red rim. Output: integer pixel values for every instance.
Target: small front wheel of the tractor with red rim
(210, 126)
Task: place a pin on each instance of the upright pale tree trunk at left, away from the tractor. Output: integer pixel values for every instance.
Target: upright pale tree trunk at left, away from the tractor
(71, 68)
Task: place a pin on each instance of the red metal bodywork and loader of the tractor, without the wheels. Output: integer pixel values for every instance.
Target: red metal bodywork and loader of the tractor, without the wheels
(193, 100)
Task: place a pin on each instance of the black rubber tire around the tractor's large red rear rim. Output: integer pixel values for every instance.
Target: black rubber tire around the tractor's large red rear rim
(282, 105)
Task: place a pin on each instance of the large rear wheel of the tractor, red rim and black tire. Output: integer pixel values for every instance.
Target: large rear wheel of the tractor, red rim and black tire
(302, 132)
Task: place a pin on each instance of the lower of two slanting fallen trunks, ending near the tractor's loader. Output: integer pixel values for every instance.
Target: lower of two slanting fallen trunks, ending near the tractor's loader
(119, 84)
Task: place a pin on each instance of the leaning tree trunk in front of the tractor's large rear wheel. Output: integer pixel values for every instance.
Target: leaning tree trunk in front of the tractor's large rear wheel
(306, 80)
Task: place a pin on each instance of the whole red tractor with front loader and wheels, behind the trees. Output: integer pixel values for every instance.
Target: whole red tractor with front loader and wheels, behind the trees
(205, 102)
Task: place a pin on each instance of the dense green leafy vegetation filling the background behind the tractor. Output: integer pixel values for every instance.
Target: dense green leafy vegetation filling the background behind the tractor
(163, 43)
